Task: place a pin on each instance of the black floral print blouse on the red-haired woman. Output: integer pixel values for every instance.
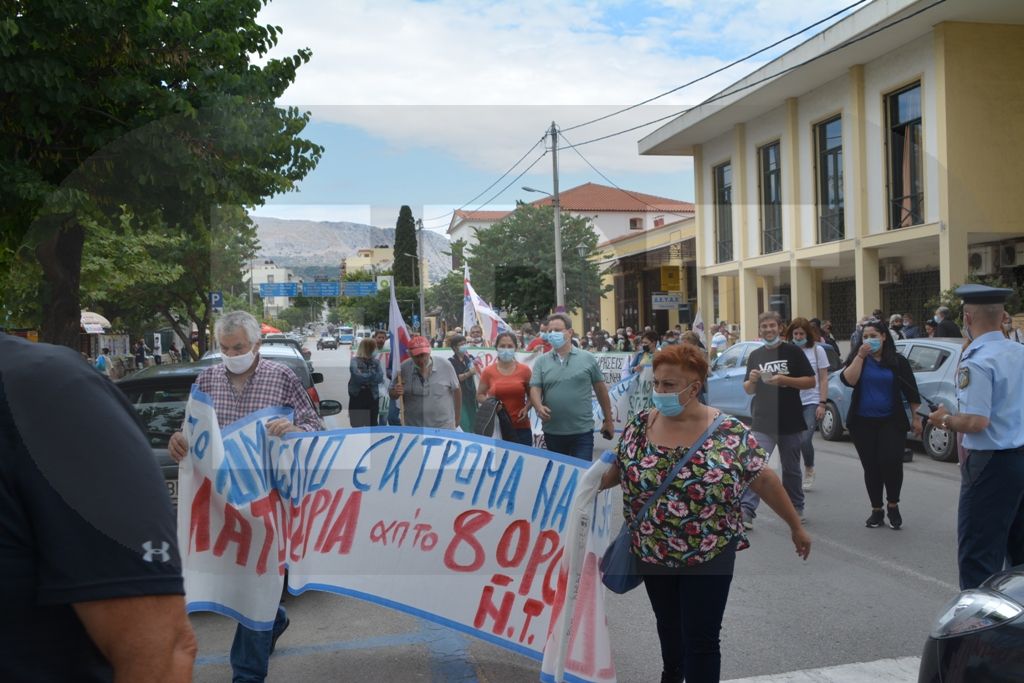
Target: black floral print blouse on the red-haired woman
(699, 515)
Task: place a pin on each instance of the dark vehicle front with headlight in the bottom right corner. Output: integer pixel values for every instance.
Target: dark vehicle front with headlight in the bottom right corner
(979, 635)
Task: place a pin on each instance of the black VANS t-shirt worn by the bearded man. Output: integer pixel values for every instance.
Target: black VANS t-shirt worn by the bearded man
(779, 410)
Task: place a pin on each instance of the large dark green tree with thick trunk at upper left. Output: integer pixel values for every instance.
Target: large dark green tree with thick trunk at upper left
(151, 105)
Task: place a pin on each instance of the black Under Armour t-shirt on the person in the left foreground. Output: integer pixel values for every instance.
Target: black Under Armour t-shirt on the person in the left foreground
(84, 511)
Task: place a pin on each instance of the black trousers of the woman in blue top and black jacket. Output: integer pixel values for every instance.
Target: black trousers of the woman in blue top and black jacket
(880, 446)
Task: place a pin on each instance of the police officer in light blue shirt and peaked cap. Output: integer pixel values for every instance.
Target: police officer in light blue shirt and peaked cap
(991, 395)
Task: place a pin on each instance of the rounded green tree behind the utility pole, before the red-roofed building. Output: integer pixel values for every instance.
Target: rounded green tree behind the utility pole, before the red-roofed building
(514, 266)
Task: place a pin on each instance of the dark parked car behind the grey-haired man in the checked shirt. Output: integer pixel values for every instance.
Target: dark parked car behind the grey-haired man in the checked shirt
(159, 395)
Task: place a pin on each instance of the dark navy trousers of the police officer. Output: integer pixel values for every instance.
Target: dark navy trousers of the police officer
(991, 519)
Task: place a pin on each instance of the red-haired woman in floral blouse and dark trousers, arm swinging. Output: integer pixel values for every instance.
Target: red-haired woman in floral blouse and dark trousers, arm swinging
(688, 546)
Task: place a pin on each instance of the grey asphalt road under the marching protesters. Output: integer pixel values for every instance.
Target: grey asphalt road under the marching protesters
(866, 595)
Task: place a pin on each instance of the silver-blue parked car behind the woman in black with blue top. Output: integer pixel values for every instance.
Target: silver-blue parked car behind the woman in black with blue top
(934, 363)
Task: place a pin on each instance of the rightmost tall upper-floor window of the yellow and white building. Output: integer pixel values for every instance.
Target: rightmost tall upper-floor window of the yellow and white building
(907, 193)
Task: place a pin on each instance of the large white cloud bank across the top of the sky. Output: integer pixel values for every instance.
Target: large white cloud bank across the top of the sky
(485, 79)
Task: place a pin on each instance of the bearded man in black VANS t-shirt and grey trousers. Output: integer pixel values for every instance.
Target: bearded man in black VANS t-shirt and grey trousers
(776, 374)
